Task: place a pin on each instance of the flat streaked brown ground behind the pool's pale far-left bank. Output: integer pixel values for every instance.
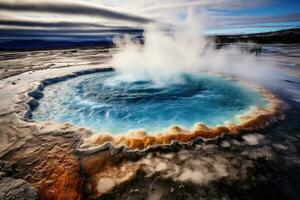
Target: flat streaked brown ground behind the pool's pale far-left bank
(13, 63)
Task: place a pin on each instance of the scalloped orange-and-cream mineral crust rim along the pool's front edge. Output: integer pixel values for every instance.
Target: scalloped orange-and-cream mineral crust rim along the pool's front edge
(256, 118)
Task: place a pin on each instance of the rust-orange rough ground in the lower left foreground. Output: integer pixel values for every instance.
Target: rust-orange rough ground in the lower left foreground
(45, 159)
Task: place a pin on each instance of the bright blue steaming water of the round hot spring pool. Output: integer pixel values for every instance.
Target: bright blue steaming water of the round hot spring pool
(106, 102)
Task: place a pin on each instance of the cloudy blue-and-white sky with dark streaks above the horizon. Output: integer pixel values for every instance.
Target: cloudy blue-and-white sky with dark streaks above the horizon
(93, 18)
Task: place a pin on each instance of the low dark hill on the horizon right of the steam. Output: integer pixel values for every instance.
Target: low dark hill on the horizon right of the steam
(282, 36)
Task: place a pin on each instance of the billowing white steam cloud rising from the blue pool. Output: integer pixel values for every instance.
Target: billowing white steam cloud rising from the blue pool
(165, 56)
